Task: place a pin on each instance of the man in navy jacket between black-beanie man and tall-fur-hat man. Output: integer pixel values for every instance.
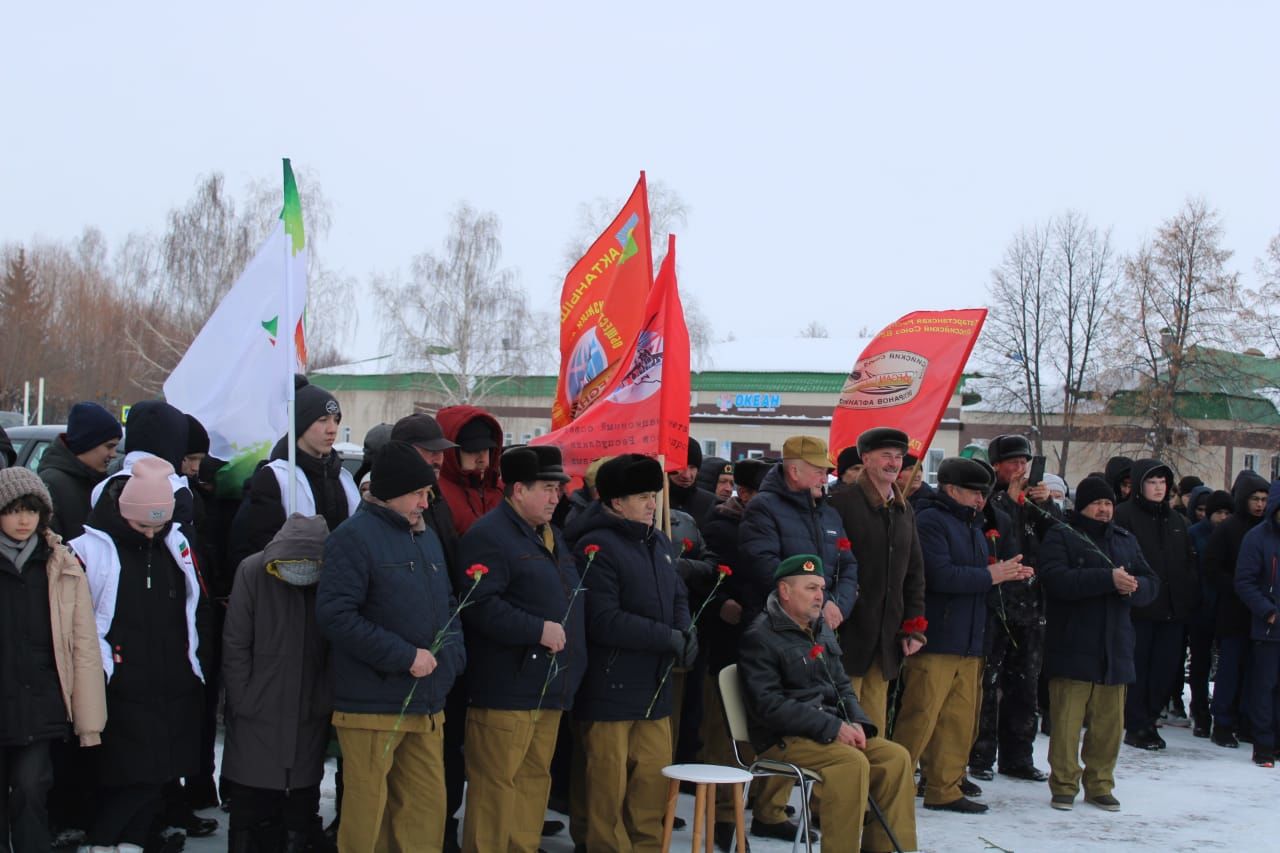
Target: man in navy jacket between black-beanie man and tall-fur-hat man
(525, 658)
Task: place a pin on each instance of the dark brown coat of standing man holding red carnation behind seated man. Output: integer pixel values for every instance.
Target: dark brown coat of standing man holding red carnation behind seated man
(890, 577)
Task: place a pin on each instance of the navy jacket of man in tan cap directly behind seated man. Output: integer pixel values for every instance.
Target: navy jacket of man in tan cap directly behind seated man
(780, 523)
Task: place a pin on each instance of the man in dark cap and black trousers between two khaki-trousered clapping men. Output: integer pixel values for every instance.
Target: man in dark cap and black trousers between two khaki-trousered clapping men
(1016, 622)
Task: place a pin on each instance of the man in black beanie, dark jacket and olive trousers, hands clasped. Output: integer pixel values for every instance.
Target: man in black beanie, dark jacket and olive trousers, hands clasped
(1092, 574)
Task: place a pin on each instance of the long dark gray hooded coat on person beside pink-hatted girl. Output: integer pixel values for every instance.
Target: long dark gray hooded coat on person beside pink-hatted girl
(276, 667)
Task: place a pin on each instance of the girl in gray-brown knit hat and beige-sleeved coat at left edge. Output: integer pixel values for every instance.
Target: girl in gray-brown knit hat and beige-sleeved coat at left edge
(48, 658)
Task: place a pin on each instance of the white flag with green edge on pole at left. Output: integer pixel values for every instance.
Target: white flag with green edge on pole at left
(237, 376)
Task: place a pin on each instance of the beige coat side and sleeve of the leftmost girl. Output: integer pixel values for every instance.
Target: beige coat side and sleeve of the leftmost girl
(76, 649)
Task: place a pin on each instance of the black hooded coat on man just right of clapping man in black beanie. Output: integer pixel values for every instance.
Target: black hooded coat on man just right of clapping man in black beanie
(1168, 548)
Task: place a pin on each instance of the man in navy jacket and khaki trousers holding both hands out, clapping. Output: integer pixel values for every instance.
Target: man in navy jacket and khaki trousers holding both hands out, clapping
(940, 703)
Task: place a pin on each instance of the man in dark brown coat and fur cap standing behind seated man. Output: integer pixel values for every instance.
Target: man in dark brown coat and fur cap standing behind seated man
(885, 626)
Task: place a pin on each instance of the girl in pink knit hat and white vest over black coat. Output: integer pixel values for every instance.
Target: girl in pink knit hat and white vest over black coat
(147, 595)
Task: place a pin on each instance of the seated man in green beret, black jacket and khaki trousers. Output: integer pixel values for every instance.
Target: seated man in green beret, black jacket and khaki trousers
(803, 711)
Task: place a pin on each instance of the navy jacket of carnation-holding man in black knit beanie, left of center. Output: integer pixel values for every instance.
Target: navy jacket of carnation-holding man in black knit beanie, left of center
(383, 595)
